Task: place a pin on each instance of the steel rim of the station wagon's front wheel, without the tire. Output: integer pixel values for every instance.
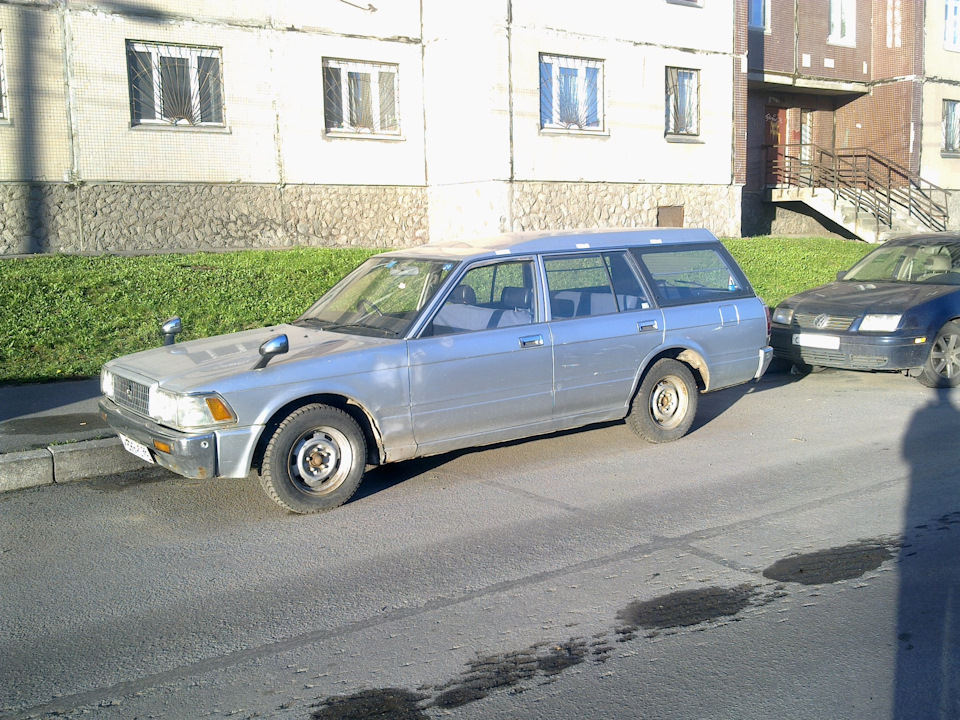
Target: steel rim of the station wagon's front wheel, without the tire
(320, 460)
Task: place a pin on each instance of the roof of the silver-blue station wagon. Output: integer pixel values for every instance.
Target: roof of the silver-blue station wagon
(525, 243)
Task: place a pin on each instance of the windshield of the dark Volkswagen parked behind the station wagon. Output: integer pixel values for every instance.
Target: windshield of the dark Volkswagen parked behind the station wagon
(935, 263)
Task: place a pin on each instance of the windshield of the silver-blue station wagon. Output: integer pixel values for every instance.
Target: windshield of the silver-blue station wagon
(381, 297)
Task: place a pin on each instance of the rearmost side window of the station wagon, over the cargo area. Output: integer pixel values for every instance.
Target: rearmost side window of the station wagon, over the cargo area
(682, 275)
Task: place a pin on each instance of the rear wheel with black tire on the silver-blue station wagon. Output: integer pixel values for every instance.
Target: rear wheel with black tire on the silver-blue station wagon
(666, 403)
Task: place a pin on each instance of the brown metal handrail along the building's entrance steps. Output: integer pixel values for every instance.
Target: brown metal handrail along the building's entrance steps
(868, 181)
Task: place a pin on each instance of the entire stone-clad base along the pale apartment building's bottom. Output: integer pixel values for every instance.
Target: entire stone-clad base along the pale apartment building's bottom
(126, 217)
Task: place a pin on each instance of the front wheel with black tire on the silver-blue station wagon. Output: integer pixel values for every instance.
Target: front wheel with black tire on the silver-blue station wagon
(314, 461)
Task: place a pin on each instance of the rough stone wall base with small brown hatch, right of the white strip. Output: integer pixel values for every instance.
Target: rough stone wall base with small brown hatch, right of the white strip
(547, 206)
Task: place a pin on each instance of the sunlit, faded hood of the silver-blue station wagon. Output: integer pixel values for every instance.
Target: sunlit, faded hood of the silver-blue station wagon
(204, 363)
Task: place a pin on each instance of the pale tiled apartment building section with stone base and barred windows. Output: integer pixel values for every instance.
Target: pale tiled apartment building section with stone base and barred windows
(148, 125)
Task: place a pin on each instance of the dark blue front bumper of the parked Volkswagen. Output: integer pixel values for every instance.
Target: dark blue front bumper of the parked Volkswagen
(855, 352)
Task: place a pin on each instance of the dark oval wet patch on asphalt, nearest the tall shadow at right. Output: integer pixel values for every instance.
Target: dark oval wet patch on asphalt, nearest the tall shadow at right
(830, 566)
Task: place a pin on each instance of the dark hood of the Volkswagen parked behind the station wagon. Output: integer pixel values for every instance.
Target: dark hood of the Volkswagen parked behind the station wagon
(856, 298)
